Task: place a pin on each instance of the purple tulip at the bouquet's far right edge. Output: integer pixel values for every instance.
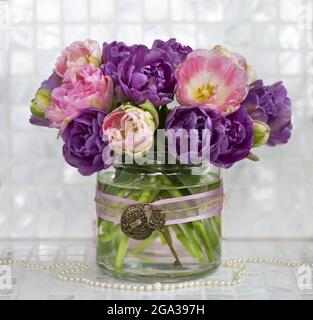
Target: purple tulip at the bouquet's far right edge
(270, 104)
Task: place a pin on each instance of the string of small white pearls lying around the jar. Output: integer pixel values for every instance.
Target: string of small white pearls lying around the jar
(66, 272)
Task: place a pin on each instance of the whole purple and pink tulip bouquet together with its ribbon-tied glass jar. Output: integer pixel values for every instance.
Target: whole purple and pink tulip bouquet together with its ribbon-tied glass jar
(157, 125)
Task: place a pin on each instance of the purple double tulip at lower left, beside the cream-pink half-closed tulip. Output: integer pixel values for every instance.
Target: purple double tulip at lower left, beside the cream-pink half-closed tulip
(84, 143)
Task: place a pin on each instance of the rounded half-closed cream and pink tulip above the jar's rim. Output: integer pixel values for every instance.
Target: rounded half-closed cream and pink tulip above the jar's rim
(129, 130)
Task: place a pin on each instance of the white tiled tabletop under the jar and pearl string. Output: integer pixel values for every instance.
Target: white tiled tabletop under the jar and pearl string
(262, 282)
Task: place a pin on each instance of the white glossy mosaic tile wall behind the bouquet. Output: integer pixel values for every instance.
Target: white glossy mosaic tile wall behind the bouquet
(41, 196)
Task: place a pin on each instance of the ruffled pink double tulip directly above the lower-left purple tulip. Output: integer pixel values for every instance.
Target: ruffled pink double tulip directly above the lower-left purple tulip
(88, 88)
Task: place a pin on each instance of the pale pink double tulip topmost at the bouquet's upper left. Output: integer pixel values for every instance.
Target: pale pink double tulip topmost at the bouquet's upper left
(79, 53)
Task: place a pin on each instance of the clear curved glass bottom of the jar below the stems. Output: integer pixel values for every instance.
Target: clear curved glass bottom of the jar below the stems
(162, 272)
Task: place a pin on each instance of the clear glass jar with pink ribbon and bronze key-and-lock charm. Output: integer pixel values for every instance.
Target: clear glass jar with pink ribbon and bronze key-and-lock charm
(159, 221)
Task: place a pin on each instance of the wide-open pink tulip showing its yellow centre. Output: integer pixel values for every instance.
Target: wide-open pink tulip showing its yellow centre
(213, 79)
